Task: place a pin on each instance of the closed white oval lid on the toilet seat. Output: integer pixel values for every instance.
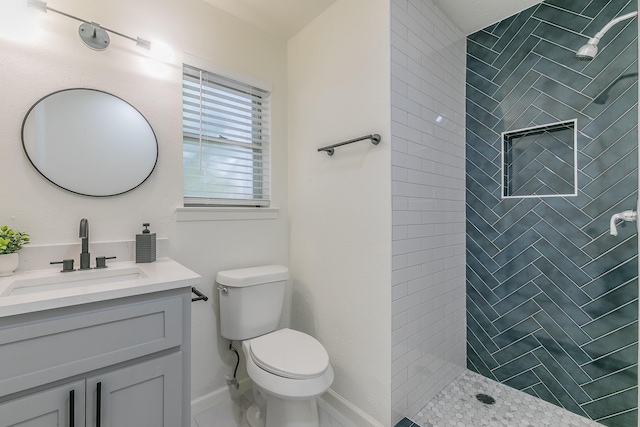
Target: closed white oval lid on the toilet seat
(290, 354)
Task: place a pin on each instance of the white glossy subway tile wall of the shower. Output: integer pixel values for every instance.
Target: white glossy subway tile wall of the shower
(428, 158)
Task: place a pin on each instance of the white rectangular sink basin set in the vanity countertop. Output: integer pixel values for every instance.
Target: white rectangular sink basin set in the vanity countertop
(57, 281)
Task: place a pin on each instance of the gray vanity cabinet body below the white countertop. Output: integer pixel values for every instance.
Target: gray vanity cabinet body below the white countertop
(125, 359)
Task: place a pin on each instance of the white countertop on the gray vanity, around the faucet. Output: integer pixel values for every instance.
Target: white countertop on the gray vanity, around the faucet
(118, 280)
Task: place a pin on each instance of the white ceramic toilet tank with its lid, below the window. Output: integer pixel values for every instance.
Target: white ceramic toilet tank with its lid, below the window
(251, 300)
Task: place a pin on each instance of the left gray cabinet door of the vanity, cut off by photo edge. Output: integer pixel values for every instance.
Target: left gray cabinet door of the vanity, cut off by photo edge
(56, 407)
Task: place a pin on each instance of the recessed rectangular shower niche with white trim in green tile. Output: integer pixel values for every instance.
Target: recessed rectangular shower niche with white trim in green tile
(540, 161)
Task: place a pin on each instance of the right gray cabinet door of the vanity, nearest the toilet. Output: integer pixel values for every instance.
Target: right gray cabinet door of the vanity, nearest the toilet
(147, 394)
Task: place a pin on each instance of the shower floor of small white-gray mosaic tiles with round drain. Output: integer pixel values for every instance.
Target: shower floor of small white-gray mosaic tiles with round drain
(457, 406)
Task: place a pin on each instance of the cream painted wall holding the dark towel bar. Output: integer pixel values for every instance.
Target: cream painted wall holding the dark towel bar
(340, 206)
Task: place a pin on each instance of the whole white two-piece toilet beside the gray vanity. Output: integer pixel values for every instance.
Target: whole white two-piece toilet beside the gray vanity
(289, 369)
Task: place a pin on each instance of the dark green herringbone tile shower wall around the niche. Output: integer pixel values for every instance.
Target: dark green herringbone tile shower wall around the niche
(552, 298)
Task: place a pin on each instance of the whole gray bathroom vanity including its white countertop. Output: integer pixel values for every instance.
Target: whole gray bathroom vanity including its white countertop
(102, 348)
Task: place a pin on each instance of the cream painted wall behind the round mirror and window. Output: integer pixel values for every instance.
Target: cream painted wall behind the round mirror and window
(41, 53)
